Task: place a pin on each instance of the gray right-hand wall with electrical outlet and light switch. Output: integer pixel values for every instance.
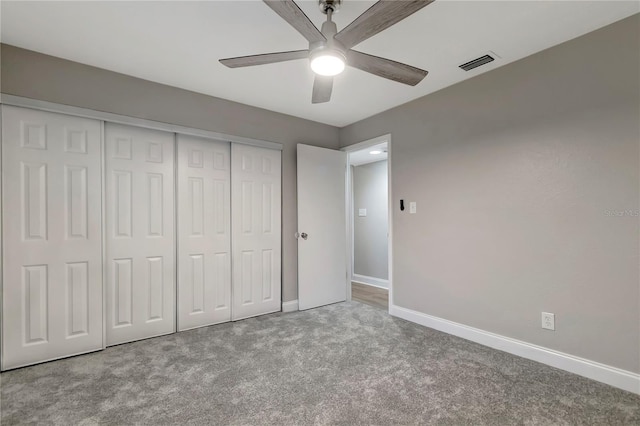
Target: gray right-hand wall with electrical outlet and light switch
(527, 183)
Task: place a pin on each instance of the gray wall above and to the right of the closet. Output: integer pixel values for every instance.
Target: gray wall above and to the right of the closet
(34, 75)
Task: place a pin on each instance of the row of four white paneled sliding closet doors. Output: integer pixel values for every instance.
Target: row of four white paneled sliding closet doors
(114, 233)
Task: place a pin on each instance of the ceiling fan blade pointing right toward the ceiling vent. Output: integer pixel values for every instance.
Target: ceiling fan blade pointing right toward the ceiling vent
(386, 68)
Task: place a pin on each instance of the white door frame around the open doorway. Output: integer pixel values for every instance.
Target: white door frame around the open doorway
(350, 217)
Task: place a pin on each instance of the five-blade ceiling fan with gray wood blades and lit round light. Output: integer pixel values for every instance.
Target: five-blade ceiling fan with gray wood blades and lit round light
(329, 50)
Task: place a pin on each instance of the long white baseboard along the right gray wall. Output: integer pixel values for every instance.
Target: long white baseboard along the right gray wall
(613, 376)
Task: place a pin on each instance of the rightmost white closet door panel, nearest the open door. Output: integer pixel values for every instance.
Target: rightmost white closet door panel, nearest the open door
(256, 236)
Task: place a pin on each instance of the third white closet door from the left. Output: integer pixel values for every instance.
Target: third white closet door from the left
(204, 232)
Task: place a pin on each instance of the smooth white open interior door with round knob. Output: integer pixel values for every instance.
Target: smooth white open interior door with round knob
(322, 245)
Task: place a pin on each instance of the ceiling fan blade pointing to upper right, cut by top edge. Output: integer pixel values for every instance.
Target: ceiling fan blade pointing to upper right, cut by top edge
(377, 18)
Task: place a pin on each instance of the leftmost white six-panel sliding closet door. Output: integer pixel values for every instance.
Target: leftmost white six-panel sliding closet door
(52, 246)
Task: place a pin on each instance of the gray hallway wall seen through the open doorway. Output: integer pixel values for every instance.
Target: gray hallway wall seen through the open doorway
(370, 245)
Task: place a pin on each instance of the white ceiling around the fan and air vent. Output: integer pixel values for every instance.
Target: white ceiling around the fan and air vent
(179, 43)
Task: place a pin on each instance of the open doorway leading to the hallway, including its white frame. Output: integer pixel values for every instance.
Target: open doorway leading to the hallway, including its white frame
(369, 219)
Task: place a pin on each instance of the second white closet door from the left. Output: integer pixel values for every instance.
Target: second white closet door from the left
(139, 233)
